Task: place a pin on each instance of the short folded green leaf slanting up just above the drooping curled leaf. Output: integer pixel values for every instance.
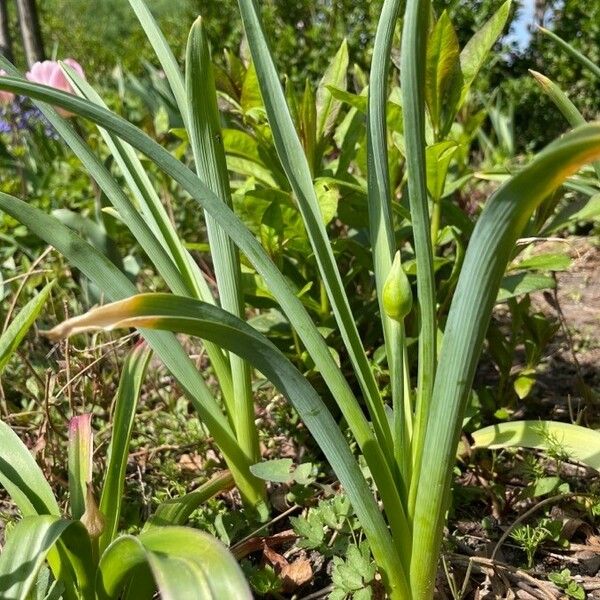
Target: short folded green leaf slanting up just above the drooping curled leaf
(177, 510)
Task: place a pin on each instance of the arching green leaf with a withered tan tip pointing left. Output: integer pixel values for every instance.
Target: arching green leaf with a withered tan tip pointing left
(183, 315)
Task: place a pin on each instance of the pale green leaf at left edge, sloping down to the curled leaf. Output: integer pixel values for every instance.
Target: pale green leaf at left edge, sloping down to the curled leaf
(22, 478)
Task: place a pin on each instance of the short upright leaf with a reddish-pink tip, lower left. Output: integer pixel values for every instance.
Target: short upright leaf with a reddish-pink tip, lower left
(80, 454)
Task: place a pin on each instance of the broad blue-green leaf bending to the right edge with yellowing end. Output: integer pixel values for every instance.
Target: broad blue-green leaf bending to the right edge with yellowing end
(492, 244)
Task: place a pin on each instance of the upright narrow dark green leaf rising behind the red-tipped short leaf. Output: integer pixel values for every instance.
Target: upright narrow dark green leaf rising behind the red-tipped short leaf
(130, 383)
